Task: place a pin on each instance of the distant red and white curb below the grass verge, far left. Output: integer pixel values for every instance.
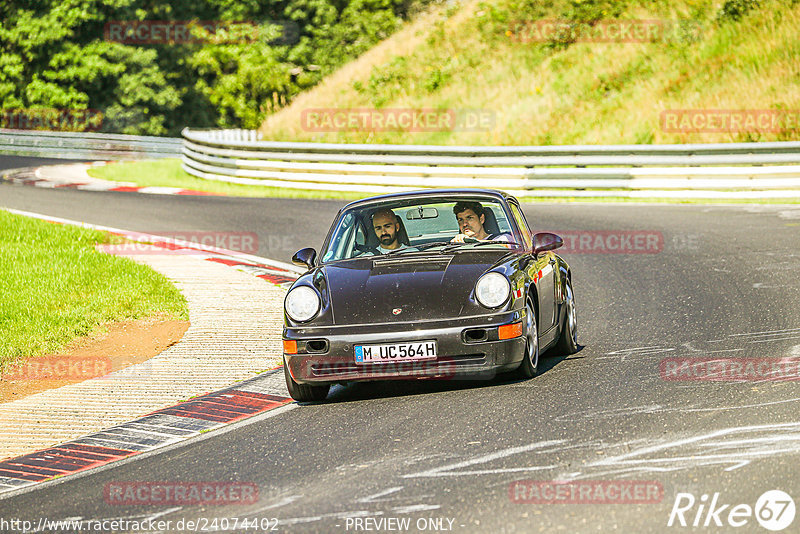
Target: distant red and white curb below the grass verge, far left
(33, 176)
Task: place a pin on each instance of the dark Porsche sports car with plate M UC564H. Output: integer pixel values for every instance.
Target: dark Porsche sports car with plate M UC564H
(429, 284)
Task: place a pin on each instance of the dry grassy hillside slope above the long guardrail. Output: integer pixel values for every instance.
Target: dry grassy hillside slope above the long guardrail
(488, 57)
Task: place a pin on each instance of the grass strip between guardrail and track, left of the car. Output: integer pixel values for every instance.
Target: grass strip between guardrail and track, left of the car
(168, 173)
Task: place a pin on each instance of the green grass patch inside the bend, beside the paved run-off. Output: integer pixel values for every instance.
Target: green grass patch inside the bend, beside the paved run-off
(54, 287)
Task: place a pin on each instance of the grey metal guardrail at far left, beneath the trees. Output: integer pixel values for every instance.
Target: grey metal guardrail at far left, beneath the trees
(86, 146)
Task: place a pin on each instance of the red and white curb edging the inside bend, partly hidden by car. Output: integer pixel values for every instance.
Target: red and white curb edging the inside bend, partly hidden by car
(170, 425)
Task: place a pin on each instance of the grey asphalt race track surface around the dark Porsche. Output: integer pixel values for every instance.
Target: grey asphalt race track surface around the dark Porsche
(722, 284)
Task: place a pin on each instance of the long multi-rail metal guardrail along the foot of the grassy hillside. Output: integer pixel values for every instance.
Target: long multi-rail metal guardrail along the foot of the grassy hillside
(240, 156)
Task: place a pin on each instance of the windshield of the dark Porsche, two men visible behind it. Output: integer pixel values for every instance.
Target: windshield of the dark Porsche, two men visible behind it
(408, 226)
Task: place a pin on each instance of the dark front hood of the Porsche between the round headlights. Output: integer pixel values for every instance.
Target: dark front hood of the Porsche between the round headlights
(371, 290)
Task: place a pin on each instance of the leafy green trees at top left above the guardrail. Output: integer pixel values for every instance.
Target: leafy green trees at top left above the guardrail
(57, 55)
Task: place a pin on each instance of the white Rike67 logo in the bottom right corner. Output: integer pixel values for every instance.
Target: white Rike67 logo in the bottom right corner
(774, 510)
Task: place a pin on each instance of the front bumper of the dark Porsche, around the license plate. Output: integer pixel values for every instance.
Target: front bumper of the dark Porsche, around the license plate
(468, 348)
